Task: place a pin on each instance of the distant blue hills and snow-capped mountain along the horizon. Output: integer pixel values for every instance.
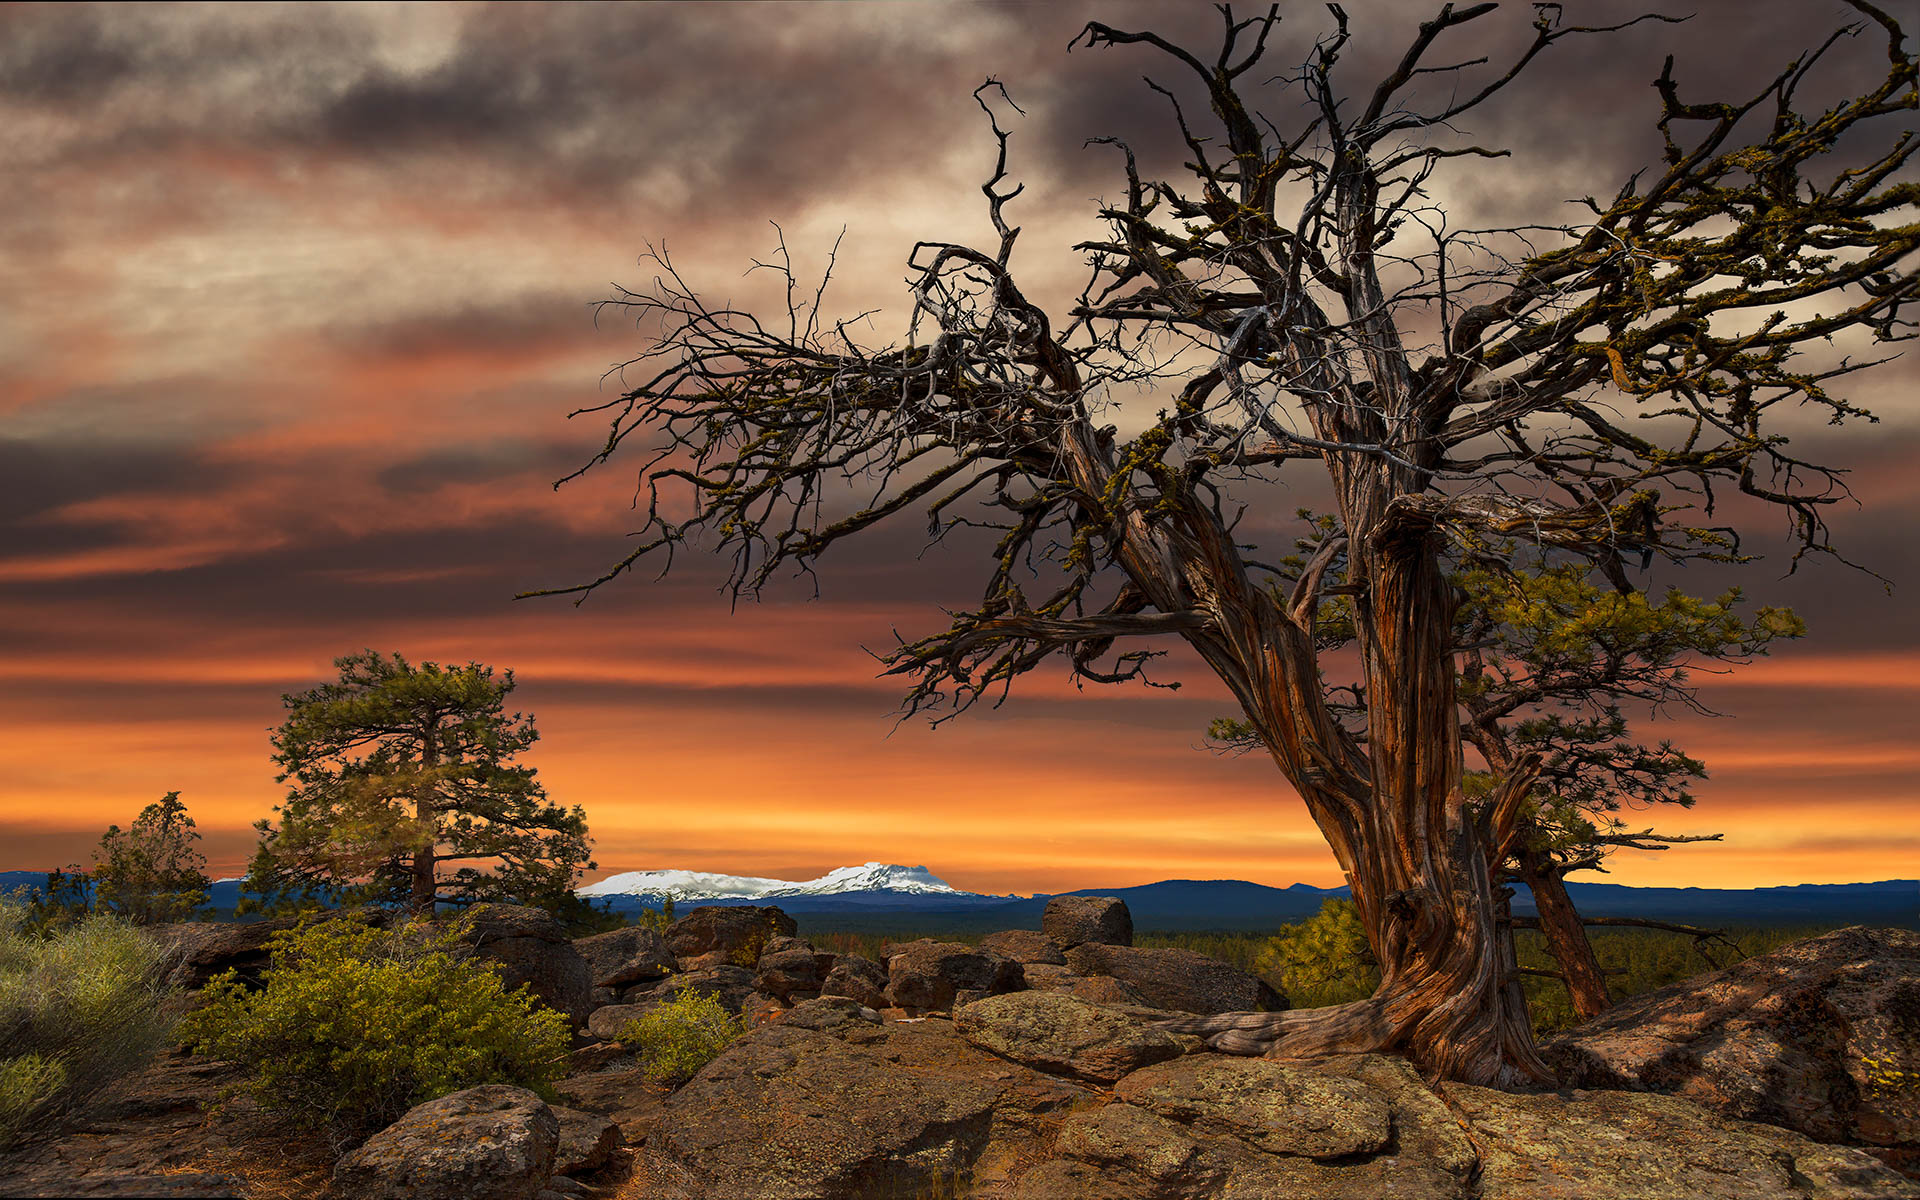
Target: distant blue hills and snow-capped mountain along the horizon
(878, 890)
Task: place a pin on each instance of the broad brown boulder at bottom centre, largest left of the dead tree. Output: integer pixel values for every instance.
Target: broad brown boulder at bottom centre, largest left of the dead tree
(850, 1109)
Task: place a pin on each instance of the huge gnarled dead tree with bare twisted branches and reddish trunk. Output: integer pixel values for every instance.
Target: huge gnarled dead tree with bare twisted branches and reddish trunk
(1274, 291)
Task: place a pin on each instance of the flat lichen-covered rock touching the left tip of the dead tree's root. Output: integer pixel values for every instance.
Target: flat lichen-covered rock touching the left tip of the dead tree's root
(1063, 1036)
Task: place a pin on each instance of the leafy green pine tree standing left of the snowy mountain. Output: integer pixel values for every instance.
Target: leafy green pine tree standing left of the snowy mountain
(404, 771)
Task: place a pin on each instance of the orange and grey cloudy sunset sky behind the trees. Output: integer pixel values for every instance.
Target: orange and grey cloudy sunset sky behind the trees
(295, 304)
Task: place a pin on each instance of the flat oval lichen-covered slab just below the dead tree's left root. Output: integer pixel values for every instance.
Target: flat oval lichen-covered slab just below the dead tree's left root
(1274, 1107)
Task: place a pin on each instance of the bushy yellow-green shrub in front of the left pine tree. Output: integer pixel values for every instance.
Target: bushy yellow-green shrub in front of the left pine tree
(360, 1024)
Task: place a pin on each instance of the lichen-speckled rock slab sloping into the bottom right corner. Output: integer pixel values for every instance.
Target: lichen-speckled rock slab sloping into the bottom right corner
(1644, 1147)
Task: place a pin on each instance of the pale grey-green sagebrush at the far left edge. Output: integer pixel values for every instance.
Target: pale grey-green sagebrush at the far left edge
(82, 1007)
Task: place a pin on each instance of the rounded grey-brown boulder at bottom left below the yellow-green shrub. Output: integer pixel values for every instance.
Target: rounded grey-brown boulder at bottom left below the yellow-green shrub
(485, 1143)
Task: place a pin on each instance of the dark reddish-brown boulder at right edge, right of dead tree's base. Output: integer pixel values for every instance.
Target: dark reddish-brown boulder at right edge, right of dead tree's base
(1821, 1036)
